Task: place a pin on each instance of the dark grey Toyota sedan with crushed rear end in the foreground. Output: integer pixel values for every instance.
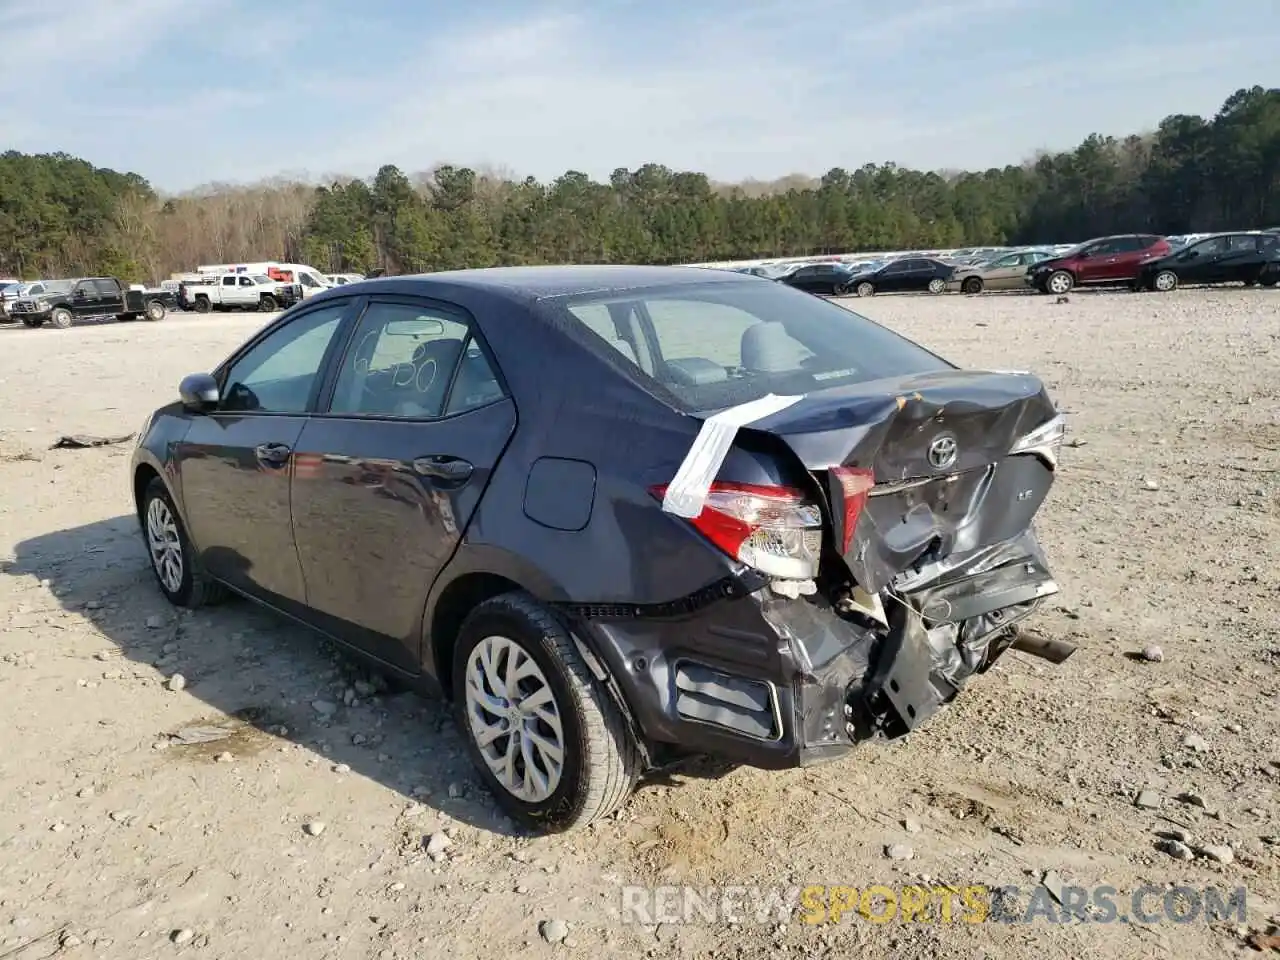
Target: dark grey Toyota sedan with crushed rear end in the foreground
(598, 588)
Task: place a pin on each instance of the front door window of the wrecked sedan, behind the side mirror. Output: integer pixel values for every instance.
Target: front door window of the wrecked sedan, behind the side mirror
(280, 373)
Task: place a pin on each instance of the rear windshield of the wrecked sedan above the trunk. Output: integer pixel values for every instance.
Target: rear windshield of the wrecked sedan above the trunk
(720, 345)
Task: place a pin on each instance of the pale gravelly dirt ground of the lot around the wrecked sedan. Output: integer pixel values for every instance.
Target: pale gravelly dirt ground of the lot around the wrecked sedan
(1164, 529)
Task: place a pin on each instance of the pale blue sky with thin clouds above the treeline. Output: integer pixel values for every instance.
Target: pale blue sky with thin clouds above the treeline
(194, 92)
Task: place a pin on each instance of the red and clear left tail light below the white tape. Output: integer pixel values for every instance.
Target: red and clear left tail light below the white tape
(776, 531)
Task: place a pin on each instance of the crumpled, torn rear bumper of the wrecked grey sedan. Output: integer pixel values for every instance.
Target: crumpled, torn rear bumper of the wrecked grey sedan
(778, 683)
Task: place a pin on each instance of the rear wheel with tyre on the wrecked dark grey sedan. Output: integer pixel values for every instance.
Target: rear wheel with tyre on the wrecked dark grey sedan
(547, 739)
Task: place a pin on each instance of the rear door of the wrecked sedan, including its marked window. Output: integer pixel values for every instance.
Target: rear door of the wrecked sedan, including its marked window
(388, 477)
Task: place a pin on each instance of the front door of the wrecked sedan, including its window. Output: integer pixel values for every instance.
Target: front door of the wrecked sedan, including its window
(235, 463)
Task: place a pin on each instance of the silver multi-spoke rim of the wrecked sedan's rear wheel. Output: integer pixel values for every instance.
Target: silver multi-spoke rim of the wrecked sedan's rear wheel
(515, 720)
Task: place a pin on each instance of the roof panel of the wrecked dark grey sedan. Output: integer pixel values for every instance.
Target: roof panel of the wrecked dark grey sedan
(533, 284)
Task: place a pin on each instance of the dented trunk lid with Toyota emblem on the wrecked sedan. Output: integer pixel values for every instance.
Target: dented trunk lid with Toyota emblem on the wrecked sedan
(920, 469)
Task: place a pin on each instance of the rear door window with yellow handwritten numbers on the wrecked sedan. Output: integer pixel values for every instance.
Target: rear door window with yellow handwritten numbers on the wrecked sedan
(403, 364)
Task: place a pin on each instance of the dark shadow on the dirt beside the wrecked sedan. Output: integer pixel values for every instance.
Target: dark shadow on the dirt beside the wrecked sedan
(268, 683)
